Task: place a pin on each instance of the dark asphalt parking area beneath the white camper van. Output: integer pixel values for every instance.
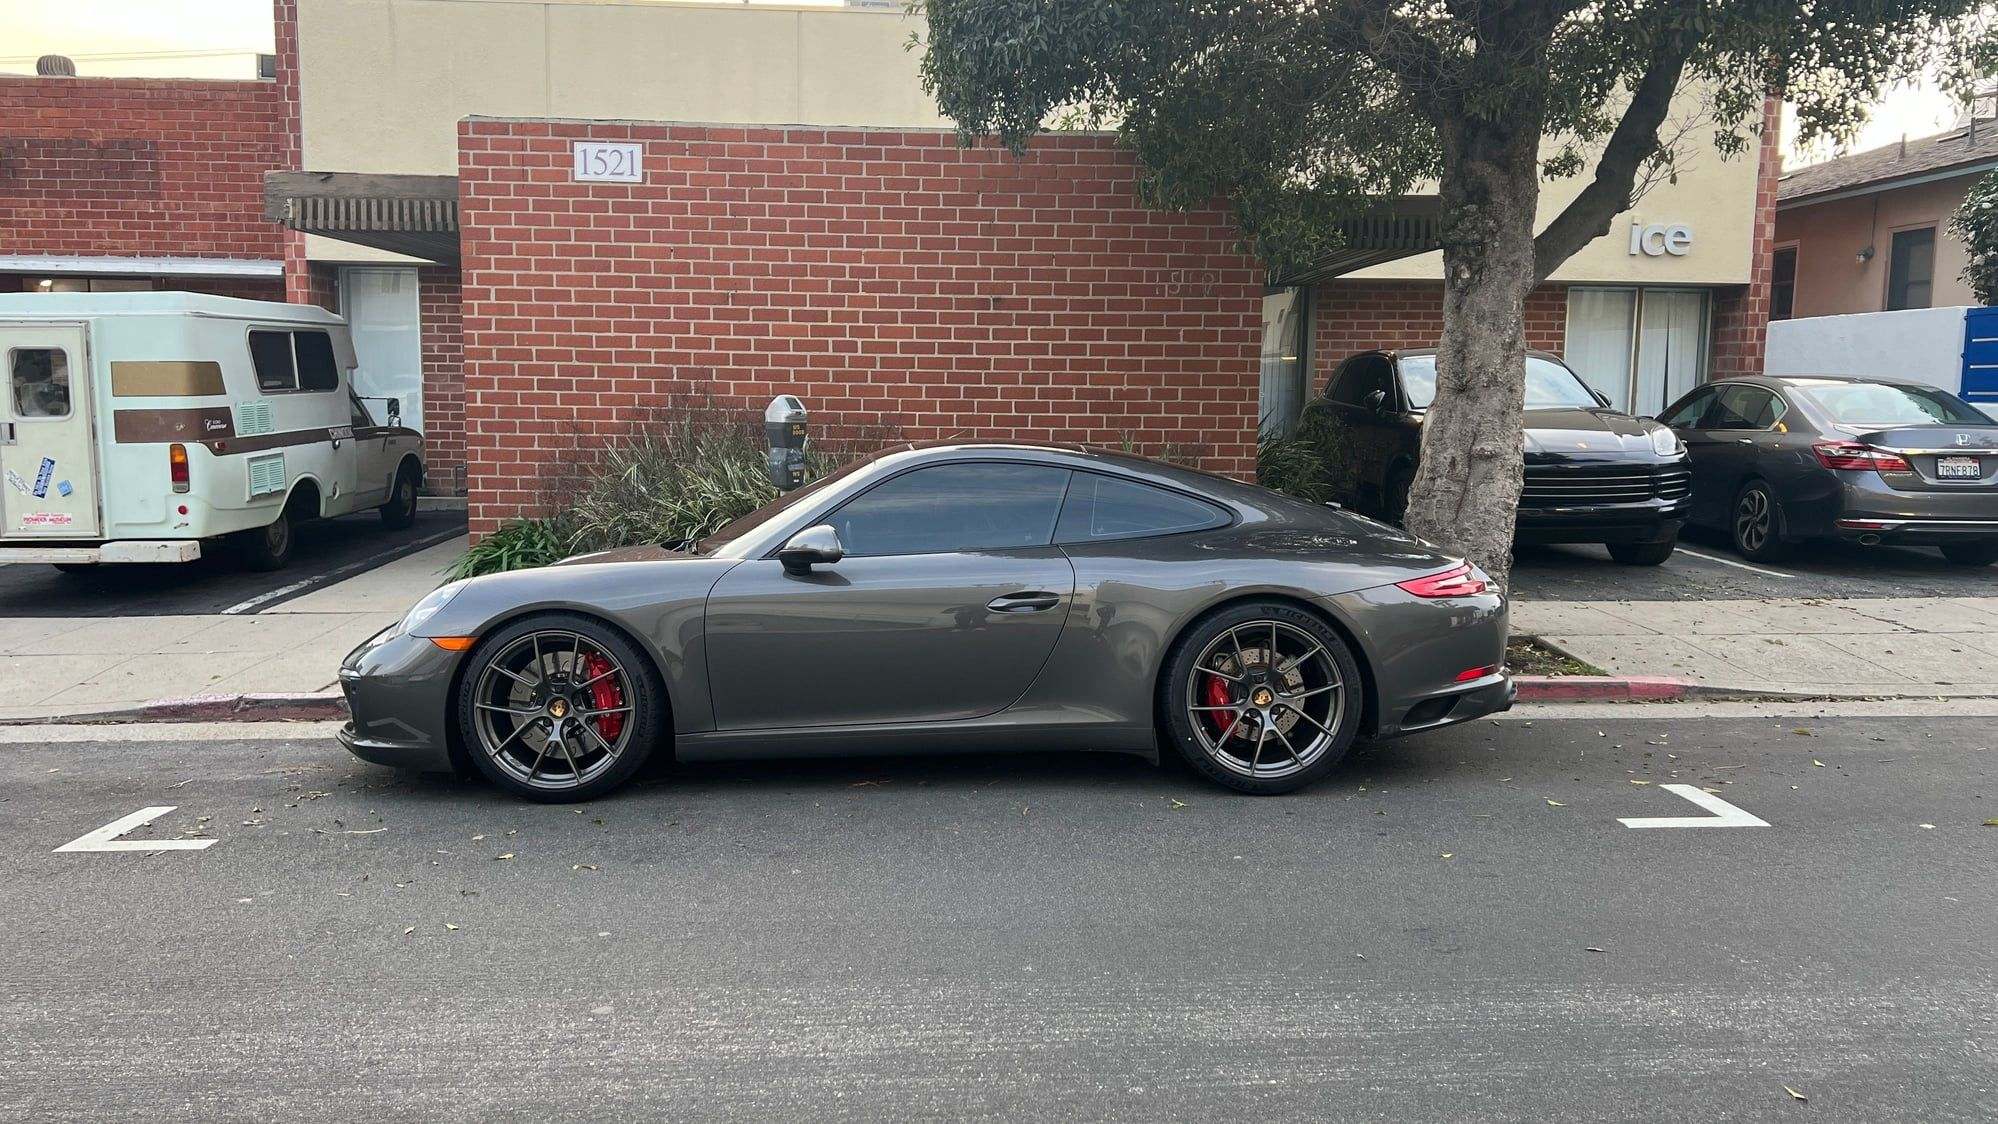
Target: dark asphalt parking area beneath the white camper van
(329, 550)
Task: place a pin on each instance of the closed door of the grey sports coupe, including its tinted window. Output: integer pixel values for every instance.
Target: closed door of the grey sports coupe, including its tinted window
(946, 606)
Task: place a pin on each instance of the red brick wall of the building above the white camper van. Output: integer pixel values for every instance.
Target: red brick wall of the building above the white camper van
(139, 167)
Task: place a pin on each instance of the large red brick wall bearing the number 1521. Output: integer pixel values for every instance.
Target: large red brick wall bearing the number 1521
(890, 279)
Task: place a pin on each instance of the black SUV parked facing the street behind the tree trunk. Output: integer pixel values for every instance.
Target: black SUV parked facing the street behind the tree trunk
(1593, 474)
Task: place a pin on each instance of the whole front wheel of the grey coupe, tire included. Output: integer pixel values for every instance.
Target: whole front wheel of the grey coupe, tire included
(560, 708)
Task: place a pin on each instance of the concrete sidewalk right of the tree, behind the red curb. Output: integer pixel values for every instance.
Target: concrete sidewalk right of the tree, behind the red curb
(1871, 648)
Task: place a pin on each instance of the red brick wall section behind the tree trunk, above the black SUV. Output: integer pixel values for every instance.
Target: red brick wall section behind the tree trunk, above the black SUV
(1362, 316)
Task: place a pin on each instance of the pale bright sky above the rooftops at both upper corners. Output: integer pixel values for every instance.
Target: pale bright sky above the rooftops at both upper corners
(221, 39)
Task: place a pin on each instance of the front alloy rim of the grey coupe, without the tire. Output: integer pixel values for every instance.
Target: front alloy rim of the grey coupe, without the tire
(554, 710)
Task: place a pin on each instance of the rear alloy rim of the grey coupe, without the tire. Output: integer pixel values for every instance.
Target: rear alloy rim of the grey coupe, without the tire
(1266, 700)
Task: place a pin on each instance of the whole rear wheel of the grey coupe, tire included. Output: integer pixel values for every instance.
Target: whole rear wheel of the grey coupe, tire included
(1336, 722)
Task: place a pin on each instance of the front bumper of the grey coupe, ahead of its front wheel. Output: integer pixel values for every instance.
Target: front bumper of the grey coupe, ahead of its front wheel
(401, 692)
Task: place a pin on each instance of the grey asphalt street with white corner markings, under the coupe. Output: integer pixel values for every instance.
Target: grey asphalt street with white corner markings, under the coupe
(1454, 927)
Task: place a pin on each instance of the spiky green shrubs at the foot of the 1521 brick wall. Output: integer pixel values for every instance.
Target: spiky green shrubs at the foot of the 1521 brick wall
(676, 476)
